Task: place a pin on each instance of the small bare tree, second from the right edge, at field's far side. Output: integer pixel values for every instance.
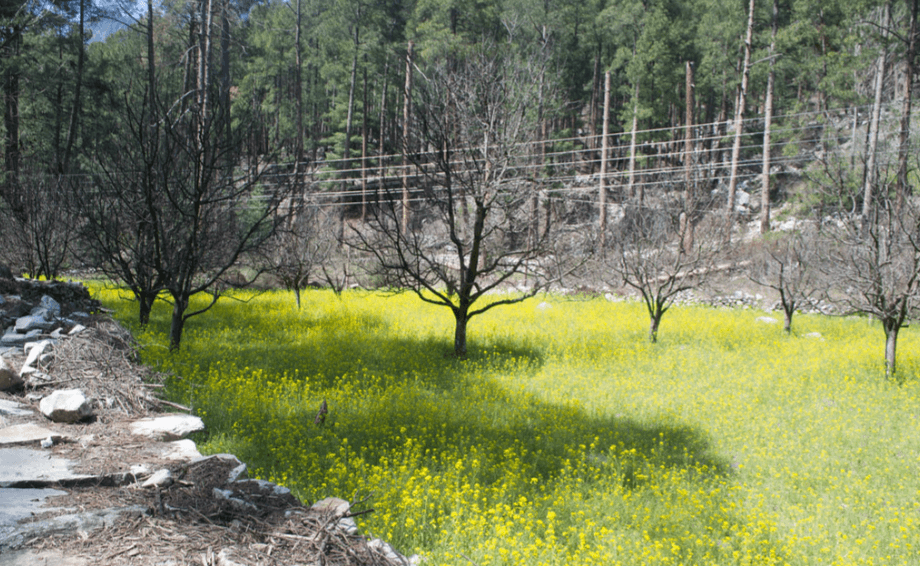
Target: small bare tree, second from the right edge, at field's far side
(789, 264)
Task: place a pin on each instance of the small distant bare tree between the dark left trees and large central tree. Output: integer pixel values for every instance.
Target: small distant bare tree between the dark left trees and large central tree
(303, 245)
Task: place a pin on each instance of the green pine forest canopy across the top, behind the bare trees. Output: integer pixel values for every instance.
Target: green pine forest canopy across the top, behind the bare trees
(314, 77)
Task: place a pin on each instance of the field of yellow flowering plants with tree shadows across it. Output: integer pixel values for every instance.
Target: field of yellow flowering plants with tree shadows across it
(566, 437)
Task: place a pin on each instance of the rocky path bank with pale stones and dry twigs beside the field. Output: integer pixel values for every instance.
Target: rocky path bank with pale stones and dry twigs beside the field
(90, 469)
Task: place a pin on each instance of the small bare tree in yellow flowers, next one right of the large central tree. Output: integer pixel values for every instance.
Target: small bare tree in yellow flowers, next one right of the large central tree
(648, 254)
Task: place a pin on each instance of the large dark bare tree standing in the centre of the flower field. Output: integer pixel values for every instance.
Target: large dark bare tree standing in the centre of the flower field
(468, 234)
